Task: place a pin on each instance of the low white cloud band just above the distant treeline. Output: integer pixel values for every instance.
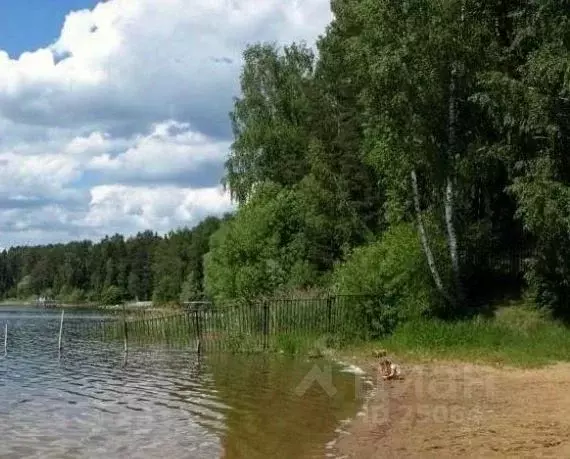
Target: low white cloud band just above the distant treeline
(110, 209)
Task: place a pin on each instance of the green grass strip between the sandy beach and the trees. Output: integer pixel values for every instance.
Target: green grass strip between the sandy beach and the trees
(517, 335)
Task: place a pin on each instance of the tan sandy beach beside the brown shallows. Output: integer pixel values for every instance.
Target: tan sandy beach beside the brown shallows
(451, 409)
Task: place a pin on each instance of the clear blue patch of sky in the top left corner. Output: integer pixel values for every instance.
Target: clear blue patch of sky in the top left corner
(31, 24)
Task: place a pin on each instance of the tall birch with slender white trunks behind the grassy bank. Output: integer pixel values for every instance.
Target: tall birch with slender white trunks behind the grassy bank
(421, 60)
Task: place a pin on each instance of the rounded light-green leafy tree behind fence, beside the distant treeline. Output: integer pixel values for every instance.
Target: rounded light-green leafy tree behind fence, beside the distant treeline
(267, 246)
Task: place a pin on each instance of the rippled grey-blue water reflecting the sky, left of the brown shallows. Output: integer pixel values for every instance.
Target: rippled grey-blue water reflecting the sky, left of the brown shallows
(88, 404)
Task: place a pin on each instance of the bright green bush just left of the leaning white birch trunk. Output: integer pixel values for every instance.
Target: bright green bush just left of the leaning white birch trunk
(393, 273)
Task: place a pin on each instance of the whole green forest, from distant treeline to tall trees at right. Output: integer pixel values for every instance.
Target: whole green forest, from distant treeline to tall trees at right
(415, 153)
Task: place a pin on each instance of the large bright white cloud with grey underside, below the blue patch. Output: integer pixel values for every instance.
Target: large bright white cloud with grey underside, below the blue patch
(149, 60)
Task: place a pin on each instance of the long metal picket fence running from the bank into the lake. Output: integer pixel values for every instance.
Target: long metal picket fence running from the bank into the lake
(272, 324)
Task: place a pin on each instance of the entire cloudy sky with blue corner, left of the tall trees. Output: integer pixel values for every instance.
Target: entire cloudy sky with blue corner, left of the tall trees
(114, 114)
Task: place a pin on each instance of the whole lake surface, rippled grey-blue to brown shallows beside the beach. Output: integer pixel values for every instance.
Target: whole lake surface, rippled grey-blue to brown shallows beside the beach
(160, 403)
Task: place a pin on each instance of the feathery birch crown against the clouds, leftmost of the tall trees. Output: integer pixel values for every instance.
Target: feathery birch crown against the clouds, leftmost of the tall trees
(270, 119)
